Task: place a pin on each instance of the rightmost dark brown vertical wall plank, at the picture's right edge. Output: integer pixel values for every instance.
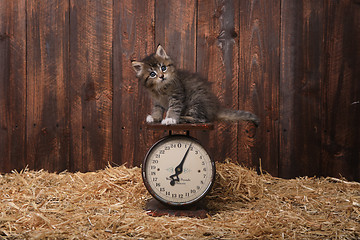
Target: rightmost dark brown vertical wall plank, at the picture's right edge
(341, 91)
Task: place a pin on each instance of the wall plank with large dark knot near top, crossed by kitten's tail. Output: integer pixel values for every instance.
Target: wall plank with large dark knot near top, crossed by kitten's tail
(217, 60)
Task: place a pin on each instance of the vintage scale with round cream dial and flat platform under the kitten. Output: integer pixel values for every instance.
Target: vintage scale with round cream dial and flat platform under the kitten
(178, 172)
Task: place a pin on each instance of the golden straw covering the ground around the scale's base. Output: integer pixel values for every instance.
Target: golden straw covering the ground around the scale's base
(109, 204)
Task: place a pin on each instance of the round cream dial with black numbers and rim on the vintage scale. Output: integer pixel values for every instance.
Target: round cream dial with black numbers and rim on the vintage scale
(178, 171)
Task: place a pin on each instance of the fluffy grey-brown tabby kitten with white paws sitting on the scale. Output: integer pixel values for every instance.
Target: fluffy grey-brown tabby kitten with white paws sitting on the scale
(184, 96)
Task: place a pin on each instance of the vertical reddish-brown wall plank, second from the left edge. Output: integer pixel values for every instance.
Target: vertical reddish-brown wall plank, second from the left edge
(47, 64)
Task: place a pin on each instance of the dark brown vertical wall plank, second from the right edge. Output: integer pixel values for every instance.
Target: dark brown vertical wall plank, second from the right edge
(301, 57)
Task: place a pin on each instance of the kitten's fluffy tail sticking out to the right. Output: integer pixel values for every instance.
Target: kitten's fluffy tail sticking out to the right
(237, 115)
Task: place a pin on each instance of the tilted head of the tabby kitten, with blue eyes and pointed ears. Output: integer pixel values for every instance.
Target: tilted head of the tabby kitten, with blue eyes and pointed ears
(156, 70)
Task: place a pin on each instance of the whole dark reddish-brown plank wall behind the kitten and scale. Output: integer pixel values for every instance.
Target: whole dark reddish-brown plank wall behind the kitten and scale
(69, 98)
